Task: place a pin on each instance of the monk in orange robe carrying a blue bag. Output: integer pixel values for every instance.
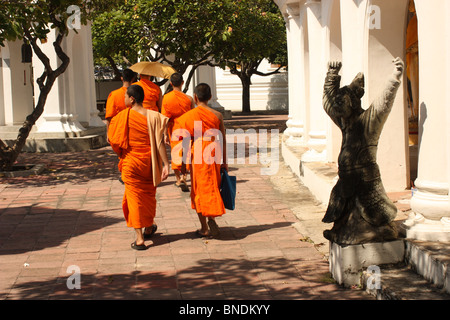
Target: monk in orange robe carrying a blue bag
(205, 124)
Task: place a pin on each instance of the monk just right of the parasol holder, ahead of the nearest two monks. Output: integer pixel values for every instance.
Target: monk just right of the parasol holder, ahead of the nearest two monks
(176, 103)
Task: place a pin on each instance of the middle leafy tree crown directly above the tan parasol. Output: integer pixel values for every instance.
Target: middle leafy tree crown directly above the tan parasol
(183, 33)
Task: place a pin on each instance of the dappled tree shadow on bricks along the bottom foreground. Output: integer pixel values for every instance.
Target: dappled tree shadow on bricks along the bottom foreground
(264, 279)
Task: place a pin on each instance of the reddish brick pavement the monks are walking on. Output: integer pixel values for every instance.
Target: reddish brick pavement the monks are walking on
(71, 215)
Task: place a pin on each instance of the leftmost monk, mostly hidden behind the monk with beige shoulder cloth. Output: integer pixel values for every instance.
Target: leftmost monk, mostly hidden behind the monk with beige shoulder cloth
(116, 99)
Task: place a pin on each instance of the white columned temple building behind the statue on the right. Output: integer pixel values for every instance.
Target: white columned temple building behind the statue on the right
(366, 35)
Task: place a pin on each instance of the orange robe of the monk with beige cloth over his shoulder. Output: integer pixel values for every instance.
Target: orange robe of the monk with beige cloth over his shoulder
(129, 138)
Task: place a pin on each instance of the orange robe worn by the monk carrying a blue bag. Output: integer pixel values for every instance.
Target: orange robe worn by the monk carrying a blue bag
(206, 161)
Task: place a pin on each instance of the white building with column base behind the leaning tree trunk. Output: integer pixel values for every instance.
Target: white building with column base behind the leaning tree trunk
(70, 120)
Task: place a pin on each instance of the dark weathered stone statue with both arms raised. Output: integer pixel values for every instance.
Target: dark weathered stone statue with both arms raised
(359, 206)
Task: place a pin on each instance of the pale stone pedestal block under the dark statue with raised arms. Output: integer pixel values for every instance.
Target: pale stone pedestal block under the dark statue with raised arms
(347, 262)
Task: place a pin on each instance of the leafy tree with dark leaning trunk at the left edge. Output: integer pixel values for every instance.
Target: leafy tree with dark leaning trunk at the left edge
(33, 20)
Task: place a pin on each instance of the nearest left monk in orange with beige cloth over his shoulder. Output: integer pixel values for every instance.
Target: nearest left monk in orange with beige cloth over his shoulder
(130, 139)
